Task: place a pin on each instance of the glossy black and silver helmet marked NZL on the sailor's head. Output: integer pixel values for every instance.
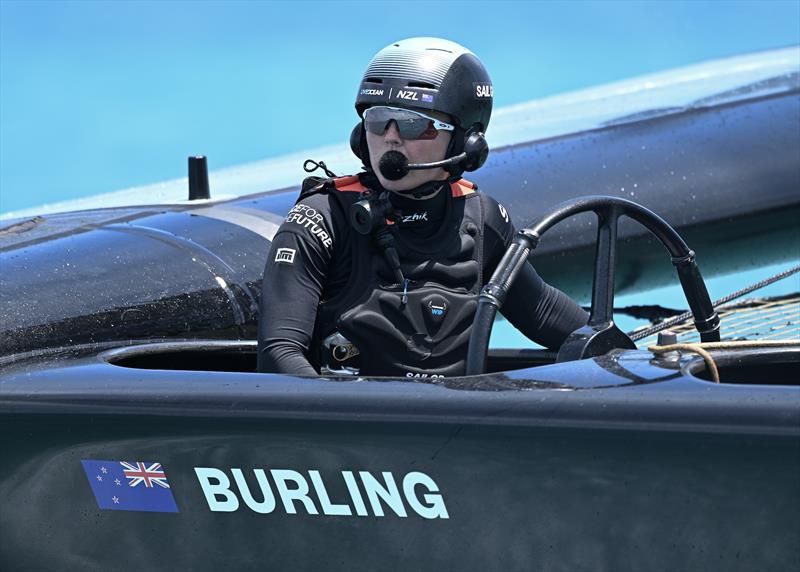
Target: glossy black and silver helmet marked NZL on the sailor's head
(429, 73)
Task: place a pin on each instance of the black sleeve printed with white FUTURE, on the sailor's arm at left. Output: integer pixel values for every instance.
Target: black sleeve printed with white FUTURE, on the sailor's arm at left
(294, 279)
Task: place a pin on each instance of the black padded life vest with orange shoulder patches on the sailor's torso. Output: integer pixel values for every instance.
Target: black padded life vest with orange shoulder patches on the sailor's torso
(428, 334)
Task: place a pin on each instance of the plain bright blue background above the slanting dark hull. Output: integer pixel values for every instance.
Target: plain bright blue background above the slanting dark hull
(99, 96)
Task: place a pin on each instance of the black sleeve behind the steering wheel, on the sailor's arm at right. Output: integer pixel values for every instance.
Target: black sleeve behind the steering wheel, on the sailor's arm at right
(541, 312)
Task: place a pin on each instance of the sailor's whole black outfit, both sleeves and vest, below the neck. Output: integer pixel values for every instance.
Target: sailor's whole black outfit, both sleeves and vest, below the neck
(323, 277)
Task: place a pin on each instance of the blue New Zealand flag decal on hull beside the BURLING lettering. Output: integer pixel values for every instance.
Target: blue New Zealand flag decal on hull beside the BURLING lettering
(130, 485)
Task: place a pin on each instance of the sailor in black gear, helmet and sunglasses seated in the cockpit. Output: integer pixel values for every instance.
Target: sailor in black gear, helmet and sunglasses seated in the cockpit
(379, 273)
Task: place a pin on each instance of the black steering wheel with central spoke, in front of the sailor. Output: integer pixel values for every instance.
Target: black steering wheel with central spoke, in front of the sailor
(600, 334)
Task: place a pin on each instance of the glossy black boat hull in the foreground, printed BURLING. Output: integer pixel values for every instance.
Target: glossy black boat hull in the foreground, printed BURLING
(656, 470)
